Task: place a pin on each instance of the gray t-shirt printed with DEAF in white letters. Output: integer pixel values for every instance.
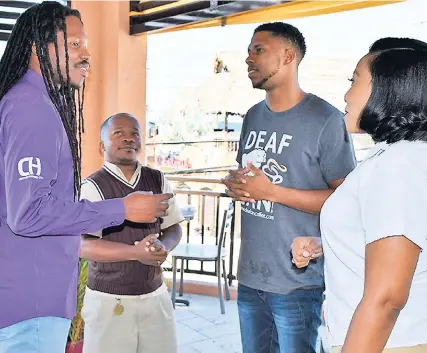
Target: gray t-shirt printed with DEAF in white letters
(304, 147)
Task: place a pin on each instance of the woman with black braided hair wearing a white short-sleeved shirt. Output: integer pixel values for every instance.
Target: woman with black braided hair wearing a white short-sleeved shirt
(374, 226)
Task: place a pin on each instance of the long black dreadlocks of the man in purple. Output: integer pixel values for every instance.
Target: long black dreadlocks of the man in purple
(40, 25)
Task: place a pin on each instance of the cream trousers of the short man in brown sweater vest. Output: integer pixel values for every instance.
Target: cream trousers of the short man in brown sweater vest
(146, 325)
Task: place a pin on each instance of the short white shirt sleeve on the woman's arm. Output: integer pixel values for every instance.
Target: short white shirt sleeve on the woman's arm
(394, 201)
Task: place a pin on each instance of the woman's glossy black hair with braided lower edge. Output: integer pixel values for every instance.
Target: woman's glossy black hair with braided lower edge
(397, 107)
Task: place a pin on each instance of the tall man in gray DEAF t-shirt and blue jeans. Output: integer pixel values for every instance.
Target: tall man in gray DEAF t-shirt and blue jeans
(294, 151)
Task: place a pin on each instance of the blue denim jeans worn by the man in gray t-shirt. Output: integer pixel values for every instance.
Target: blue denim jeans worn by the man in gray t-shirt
(276, 323)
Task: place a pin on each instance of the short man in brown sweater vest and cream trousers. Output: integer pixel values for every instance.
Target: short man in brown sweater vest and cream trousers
(127, 307)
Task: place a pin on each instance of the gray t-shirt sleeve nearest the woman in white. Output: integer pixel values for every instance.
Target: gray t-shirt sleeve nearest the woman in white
(336, 153)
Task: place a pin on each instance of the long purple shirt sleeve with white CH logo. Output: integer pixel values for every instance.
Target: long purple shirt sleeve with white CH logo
(32, 138)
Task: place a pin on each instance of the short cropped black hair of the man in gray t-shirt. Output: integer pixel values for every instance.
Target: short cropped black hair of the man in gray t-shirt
(288, 32)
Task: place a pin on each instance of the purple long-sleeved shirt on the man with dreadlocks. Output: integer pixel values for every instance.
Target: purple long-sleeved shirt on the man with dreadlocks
(40, 223)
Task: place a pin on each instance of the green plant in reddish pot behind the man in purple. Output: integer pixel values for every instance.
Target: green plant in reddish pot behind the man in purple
(75, 336)
